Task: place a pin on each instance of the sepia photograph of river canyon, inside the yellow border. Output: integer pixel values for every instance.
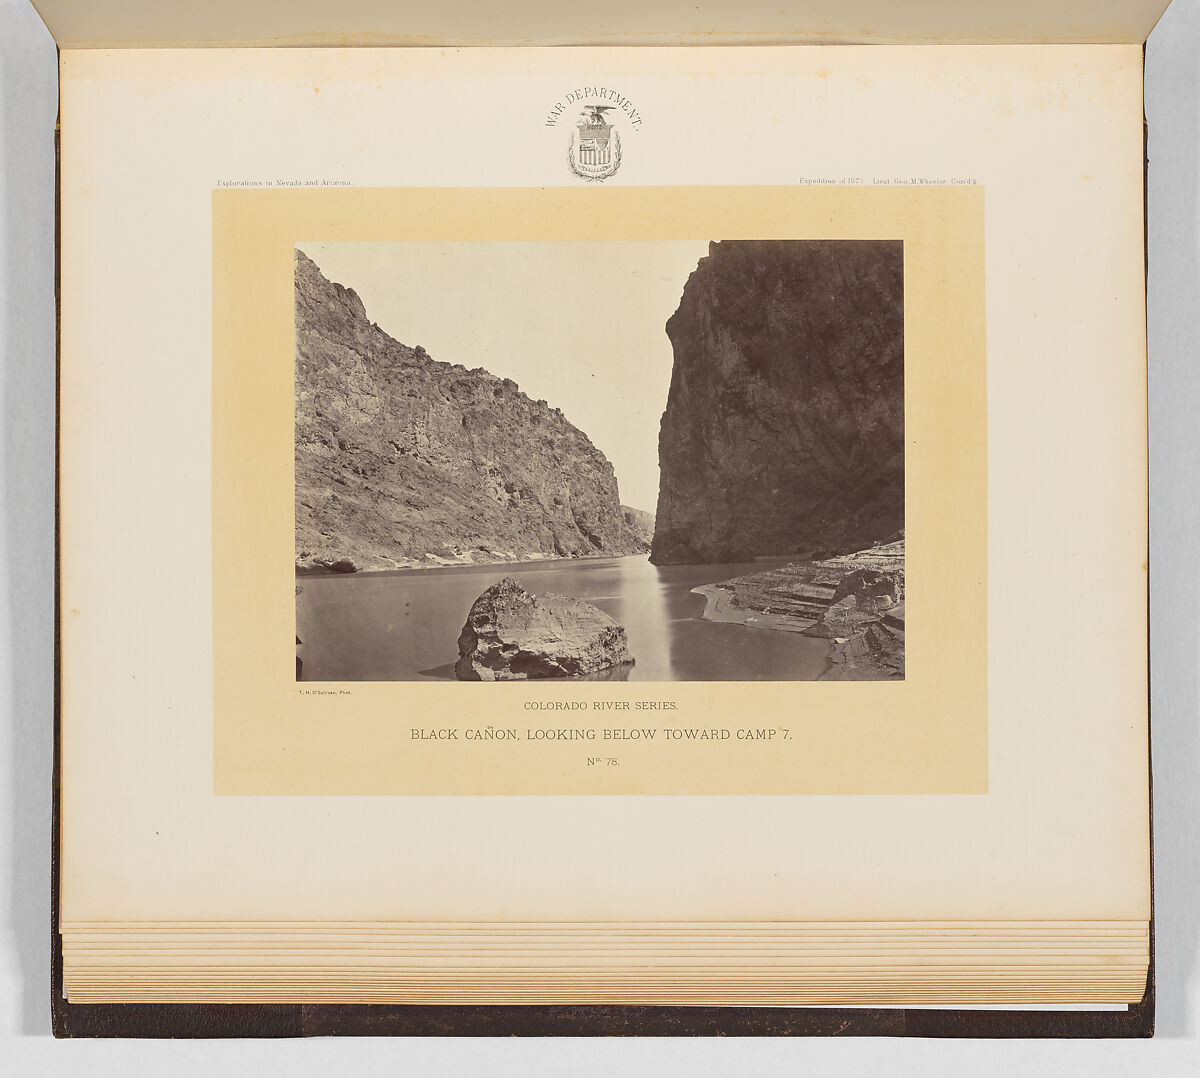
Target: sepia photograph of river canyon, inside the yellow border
(657, 462)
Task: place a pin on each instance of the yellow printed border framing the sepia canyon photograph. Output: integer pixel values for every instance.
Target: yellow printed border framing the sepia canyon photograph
(926, 735)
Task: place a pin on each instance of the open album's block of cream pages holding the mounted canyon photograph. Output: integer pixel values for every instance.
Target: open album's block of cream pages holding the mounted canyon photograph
(603, 526)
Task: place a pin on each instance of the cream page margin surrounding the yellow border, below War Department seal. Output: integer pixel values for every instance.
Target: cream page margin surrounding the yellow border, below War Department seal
(1057, 825)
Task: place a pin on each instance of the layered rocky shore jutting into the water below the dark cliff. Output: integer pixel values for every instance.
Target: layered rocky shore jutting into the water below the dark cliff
(855, 601)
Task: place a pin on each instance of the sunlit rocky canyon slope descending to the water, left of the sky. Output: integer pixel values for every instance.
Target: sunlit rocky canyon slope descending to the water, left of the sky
(403, 462)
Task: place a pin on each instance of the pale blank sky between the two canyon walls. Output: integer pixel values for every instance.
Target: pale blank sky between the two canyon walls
(579, 325)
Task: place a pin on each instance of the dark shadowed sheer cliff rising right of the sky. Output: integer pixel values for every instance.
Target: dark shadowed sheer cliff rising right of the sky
(784, 428)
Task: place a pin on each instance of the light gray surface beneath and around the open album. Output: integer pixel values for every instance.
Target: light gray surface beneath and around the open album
(28, 106)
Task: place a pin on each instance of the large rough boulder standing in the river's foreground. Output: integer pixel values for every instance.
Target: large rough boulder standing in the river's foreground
(513, 636)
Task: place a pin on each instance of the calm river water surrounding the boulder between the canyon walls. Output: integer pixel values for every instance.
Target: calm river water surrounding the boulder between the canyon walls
(405, 626)
